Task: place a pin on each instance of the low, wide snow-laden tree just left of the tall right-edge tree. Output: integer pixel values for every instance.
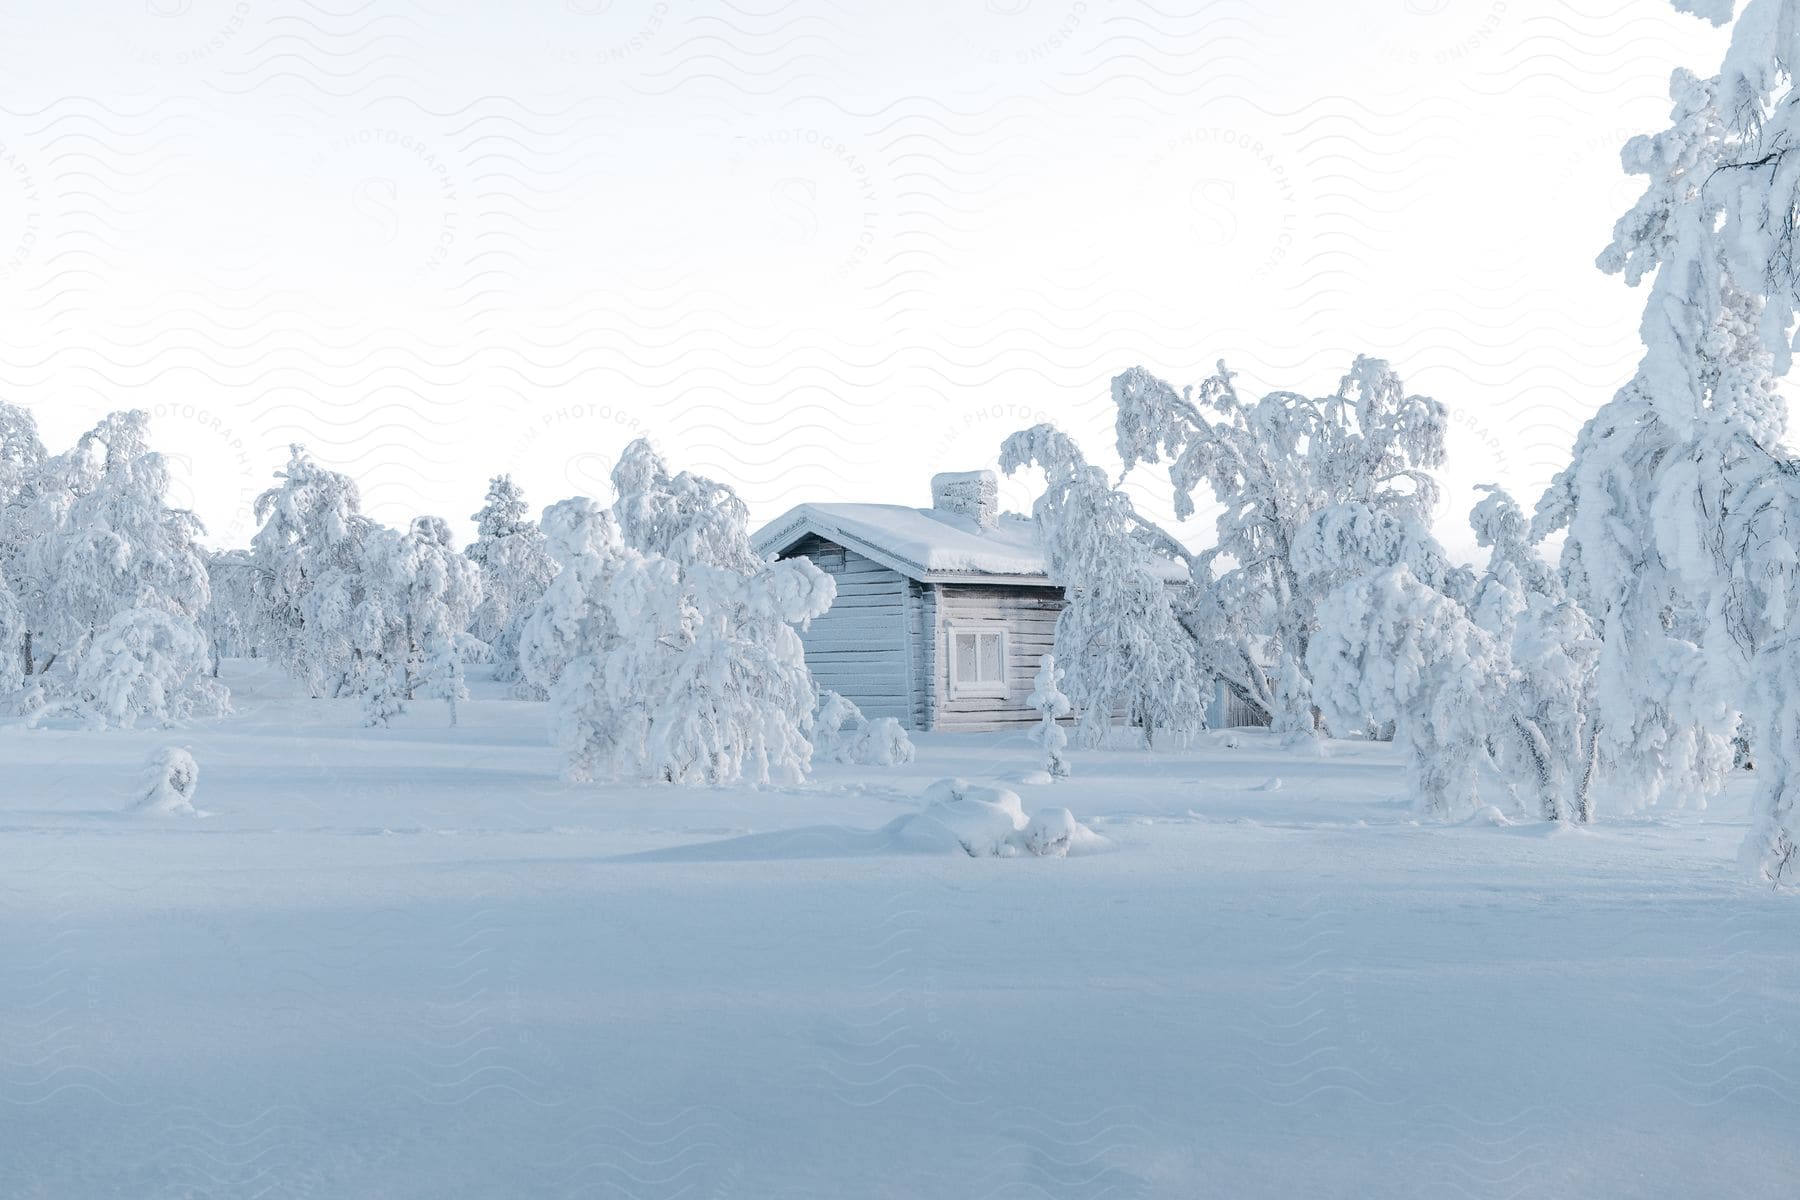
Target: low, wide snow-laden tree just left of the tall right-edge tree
(1471, 676)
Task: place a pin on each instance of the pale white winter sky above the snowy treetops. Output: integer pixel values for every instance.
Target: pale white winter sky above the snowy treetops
(818, 251)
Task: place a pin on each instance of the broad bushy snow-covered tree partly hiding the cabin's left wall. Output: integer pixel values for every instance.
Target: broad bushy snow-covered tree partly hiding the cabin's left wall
(674, 656)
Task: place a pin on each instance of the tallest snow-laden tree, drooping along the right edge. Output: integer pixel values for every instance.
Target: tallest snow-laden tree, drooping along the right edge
(1671, 499)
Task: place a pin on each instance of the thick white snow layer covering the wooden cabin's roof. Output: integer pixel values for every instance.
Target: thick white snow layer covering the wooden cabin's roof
(931, 546)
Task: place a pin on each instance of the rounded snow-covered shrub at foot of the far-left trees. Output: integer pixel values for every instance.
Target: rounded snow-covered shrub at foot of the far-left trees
(147, 665)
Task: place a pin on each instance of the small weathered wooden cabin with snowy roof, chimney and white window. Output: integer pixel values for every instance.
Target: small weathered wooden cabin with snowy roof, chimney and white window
(940, 616)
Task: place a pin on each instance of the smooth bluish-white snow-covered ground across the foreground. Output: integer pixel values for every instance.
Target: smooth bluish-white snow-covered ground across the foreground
(411, 963)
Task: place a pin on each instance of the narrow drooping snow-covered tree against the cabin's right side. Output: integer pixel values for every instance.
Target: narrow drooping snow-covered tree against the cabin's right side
(1117, 636)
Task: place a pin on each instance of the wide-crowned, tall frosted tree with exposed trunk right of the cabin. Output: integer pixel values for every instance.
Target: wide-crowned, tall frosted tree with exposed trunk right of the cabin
(1273, 465)
